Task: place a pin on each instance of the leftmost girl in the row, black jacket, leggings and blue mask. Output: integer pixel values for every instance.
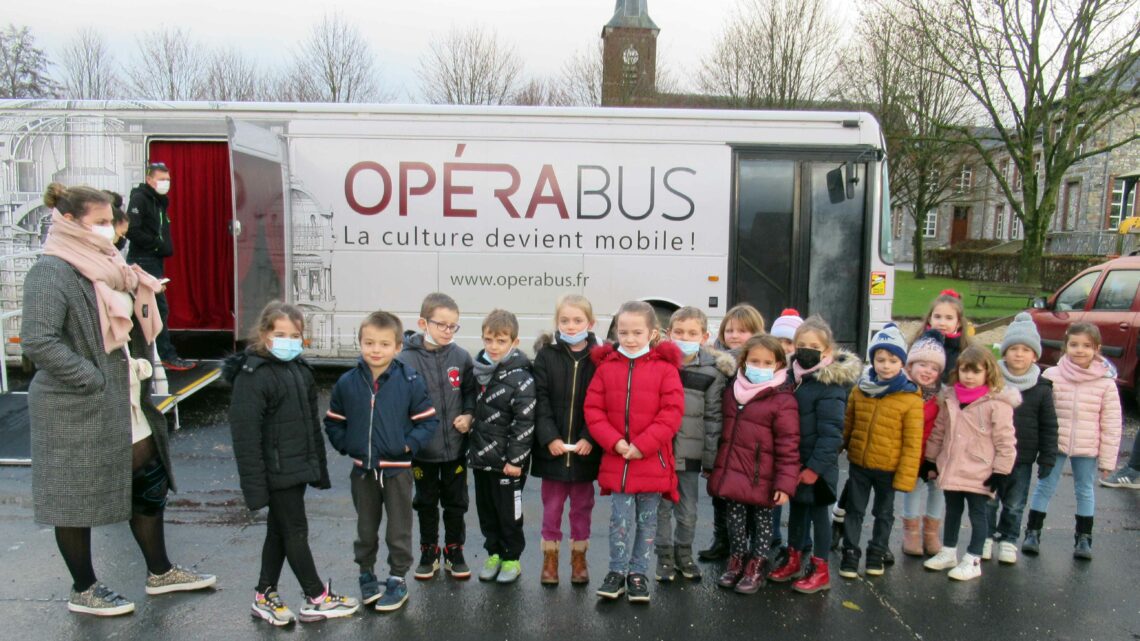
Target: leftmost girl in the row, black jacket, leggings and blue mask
(280, 451)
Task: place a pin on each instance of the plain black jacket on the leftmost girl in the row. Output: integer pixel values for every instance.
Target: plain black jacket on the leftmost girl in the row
(274, 423)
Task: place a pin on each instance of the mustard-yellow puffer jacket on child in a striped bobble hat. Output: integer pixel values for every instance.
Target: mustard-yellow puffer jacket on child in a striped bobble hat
(886, 434)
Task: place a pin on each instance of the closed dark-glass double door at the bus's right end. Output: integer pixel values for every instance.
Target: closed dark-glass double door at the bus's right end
(801, 239)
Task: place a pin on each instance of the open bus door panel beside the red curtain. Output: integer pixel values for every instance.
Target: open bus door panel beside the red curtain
(260, 225)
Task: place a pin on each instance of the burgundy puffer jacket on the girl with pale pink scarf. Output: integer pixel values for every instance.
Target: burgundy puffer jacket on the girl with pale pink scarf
(760, 448)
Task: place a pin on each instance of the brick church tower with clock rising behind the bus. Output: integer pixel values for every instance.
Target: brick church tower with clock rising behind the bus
(630, 56)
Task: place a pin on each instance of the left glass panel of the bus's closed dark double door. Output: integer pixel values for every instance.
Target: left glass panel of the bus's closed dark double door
(763, 262)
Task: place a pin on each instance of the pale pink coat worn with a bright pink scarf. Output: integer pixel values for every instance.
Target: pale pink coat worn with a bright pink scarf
(974, 442)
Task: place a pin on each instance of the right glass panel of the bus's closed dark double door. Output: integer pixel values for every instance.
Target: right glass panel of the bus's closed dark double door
(836, 282)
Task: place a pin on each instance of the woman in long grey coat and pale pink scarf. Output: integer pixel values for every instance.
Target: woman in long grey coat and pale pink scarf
(99, 456)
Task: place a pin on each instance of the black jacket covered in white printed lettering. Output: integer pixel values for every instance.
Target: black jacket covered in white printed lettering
(504, 428)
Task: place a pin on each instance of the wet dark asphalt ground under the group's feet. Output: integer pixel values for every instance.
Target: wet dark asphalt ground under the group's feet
(1052, 597)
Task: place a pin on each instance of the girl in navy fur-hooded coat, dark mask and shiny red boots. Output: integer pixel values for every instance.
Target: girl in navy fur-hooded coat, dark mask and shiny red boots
(824, 377)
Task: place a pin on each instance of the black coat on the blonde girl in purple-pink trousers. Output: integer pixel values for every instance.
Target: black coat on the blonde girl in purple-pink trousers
(561, 377)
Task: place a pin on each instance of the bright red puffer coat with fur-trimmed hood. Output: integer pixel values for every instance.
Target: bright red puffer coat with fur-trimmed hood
(640, 401)
